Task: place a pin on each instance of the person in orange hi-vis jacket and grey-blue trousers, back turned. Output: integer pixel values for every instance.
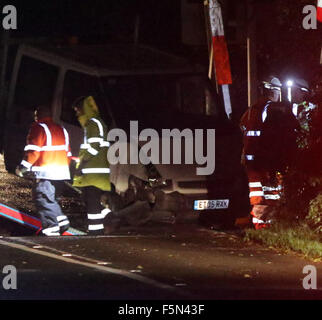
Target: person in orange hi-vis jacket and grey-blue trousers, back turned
(46, 159)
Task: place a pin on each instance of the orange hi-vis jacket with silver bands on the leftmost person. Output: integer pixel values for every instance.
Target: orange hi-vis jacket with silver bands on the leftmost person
(47, 150)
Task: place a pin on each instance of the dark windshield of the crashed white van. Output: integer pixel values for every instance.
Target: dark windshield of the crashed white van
(139, 97)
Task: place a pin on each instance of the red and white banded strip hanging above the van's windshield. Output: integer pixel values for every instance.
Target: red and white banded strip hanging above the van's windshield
(220, 52)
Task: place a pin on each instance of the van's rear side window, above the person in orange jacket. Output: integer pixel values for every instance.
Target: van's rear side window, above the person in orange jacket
(35, 85)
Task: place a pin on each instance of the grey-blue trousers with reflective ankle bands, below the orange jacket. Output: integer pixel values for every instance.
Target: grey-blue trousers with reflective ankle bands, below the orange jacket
(53, 221)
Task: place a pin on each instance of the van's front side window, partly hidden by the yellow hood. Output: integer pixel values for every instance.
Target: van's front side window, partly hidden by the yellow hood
(76, 85)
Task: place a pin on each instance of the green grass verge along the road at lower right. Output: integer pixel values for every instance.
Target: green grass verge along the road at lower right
(297, 238)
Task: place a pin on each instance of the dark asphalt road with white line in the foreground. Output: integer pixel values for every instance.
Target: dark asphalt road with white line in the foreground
(180, 263)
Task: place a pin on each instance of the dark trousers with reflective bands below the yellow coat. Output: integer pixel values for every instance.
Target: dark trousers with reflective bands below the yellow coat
(92, 198)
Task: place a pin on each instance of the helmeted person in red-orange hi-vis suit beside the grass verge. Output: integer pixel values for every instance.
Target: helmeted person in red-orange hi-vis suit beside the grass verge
(252, 123)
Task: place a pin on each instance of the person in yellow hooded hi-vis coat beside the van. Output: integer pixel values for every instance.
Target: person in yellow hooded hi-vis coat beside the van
(92, 171)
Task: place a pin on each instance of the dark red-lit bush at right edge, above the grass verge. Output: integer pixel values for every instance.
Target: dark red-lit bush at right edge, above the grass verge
(303, 179)
